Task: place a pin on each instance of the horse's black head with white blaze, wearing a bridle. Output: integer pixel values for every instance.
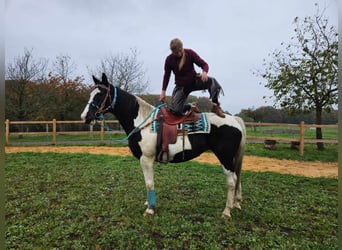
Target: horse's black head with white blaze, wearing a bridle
(100, 101)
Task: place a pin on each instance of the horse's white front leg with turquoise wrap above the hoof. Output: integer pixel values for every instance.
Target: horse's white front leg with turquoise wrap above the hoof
(147, 168)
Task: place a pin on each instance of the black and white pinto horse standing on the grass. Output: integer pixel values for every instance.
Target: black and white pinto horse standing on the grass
(226, 139)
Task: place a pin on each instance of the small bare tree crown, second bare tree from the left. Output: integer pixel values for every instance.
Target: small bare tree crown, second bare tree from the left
(63, 67)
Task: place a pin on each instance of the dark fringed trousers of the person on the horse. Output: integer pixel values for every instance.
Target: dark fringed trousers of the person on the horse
(180, 94)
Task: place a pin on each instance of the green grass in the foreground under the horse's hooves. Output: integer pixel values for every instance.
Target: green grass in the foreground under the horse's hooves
(82, 201)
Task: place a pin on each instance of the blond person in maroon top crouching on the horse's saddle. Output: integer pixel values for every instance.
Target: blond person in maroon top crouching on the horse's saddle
(181, 62)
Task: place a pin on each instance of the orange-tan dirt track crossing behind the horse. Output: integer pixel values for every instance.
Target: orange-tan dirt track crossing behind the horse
(252, 163)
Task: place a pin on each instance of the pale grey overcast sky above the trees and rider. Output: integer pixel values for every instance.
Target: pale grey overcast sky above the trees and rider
(233, 37)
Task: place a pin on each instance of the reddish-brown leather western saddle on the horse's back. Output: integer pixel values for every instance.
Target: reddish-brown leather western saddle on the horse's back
(168, 130)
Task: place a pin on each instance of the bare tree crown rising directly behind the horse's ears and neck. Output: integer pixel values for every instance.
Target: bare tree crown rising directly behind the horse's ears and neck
(125, 71)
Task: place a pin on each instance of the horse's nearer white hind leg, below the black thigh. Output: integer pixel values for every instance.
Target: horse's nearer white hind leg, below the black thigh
(231, 180)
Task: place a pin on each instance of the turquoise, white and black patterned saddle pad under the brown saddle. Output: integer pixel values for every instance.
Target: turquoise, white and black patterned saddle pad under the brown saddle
(200, 126)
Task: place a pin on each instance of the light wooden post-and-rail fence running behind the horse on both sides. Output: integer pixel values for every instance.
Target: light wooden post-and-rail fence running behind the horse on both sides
(299, 140)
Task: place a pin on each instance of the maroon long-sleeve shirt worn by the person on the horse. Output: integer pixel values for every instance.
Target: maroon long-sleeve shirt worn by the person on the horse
(185, 76)
